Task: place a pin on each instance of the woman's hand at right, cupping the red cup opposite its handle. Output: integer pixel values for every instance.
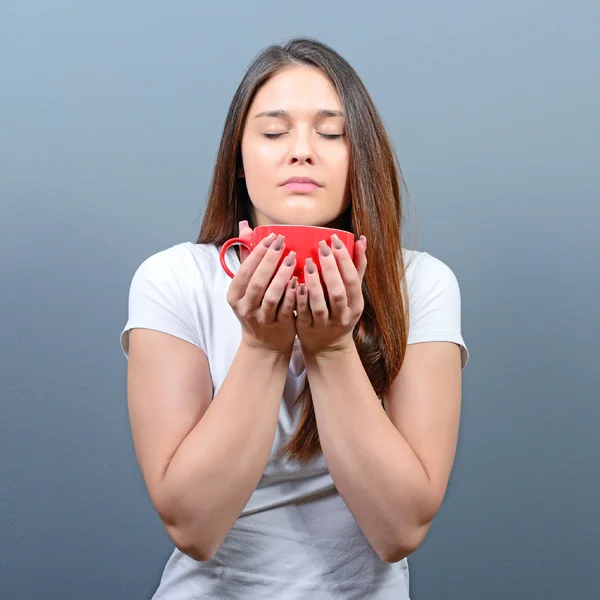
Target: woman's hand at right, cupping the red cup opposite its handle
(325, 327)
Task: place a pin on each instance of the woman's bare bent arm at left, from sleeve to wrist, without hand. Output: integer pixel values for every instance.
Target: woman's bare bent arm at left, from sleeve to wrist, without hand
(201, 460)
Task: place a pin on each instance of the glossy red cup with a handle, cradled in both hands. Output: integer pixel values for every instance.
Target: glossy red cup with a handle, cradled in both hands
(302, 239)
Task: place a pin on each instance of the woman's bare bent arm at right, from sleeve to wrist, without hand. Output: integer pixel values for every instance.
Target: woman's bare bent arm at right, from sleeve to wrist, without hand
(391, 469)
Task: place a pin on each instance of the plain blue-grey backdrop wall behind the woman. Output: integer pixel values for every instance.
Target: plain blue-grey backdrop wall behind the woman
(110, 117)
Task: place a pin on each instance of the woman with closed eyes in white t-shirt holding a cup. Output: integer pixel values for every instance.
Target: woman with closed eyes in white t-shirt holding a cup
(293, 447)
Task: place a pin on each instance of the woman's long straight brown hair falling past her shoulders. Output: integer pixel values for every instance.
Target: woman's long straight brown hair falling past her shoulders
(375, 211)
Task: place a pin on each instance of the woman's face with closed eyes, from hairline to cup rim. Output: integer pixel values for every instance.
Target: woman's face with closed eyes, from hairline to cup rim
(295, 129)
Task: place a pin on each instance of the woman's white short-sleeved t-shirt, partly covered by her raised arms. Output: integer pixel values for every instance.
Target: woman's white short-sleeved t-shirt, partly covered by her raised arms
(296, 537)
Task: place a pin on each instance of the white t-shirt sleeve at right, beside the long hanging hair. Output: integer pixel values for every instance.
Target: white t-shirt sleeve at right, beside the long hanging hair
(435, 303)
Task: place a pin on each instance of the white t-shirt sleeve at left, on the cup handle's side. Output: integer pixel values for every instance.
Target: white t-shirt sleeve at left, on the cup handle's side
(159, 300)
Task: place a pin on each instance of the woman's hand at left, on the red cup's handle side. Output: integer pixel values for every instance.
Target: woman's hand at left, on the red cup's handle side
(263, 297)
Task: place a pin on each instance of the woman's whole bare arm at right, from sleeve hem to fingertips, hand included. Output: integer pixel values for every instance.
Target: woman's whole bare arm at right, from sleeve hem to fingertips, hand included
(390, 463)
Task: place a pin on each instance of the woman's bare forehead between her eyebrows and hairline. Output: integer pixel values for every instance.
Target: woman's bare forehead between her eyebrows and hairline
(297, 90)
